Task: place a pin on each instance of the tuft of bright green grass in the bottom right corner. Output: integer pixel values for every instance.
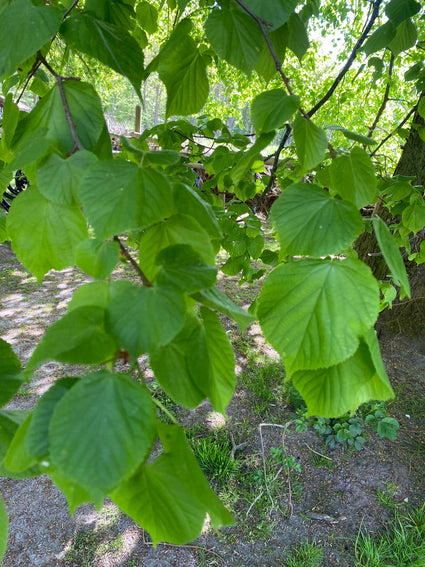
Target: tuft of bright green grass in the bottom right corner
(402, 544)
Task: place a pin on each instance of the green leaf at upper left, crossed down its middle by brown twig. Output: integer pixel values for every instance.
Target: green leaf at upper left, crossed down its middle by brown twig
(86, 112)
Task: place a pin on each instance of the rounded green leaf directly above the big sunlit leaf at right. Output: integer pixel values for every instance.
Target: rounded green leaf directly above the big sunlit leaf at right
(311, 222)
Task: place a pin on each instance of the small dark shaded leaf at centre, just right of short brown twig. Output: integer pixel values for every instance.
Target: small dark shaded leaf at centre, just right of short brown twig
(183, 267)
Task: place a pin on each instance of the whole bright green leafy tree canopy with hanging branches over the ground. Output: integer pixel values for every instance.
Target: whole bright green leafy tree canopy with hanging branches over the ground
(325, 93)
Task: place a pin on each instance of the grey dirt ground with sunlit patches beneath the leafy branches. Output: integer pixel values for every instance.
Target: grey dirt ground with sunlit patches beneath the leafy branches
(327, 504)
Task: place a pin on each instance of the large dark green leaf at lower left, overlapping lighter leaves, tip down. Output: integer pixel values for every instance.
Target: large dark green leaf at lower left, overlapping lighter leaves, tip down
(101, 430)
